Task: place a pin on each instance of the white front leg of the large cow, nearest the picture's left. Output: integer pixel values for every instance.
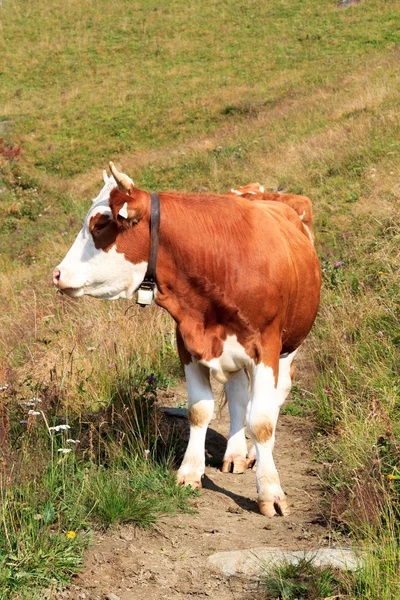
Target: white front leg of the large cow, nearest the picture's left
(200, 412)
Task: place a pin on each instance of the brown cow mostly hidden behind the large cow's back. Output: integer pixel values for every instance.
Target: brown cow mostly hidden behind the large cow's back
(301, 204)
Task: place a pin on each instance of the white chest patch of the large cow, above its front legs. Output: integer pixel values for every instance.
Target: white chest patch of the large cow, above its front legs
(233, 358)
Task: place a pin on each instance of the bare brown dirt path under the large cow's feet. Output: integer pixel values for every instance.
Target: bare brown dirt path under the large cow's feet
(171, 561)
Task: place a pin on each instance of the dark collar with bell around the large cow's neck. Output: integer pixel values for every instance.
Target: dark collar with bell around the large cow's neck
(146, 290)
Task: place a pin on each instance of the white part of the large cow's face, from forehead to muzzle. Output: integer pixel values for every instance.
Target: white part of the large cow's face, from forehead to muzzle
(94, 272)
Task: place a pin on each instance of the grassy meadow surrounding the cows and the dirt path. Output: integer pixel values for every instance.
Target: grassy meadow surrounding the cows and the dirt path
(298, 95)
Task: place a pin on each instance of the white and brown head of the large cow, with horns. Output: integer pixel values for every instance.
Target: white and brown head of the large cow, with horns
(108, 258)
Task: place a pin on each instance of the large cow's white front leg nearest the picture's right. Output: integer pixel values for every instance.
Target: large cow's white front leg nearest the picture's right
(265, 402)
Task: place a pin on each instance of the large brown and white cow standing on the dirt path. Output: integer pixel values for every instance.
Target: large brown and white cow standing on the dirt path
(242, 282)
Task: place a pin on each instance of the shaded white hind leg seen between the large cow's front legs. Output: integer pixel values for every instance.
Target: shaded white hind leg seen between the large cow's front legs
(237, 392)
